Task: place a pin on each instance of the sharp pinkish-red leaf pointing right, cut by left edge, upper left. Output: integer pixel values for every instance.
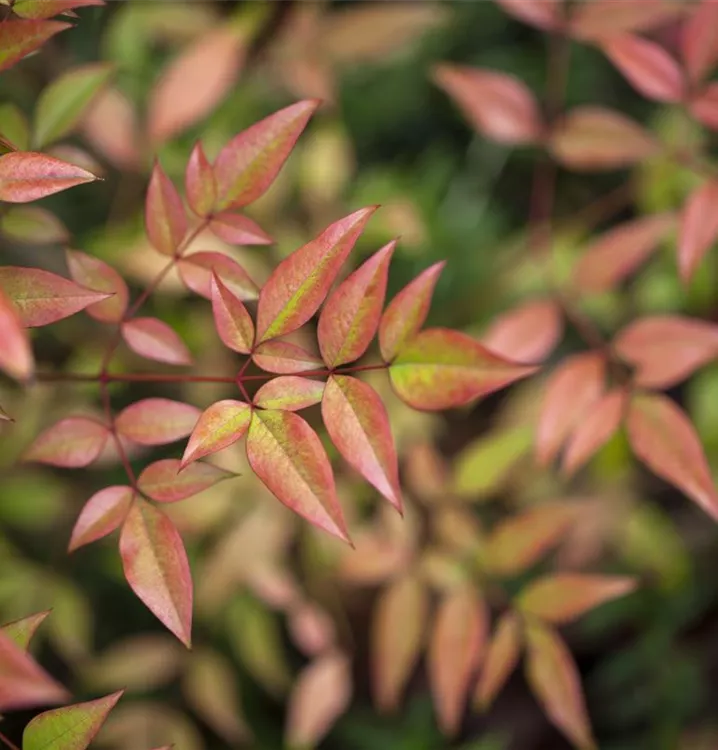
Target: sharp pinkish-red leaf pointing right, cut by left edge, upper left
(28, 176)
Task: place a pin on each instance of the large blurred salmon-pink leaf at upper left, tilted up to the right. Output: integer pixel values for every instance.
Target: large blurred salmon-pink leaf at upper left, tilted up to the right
(194, 83)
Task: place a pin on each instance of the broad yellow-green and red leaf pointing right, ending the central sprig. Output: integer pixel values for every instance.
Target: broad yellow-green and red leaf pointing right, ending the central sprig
(442, 369)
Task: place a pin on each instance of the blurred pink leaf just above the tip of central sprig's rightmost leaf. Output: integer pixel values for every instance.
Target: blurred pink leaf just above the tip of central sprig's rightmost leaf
(526, 334)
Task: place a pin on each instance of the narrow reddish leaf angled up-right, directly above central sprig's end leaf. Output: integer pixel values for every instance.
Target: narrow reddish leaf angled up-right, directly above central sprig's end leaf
(406, 313)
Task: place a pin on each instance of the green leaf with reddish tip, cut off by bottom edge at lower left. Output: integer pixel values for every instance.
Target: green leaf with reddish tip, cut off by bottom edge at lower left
(70, 727)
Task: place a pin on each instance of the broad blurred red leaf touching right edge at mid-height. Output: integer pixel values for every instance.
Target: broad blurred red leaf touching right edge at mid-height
(666, 349)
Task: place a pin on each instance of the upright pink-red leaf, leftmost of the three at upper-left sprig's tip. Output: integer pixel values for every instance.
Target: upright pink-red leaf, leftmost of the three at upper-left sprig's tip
(165, 217)
